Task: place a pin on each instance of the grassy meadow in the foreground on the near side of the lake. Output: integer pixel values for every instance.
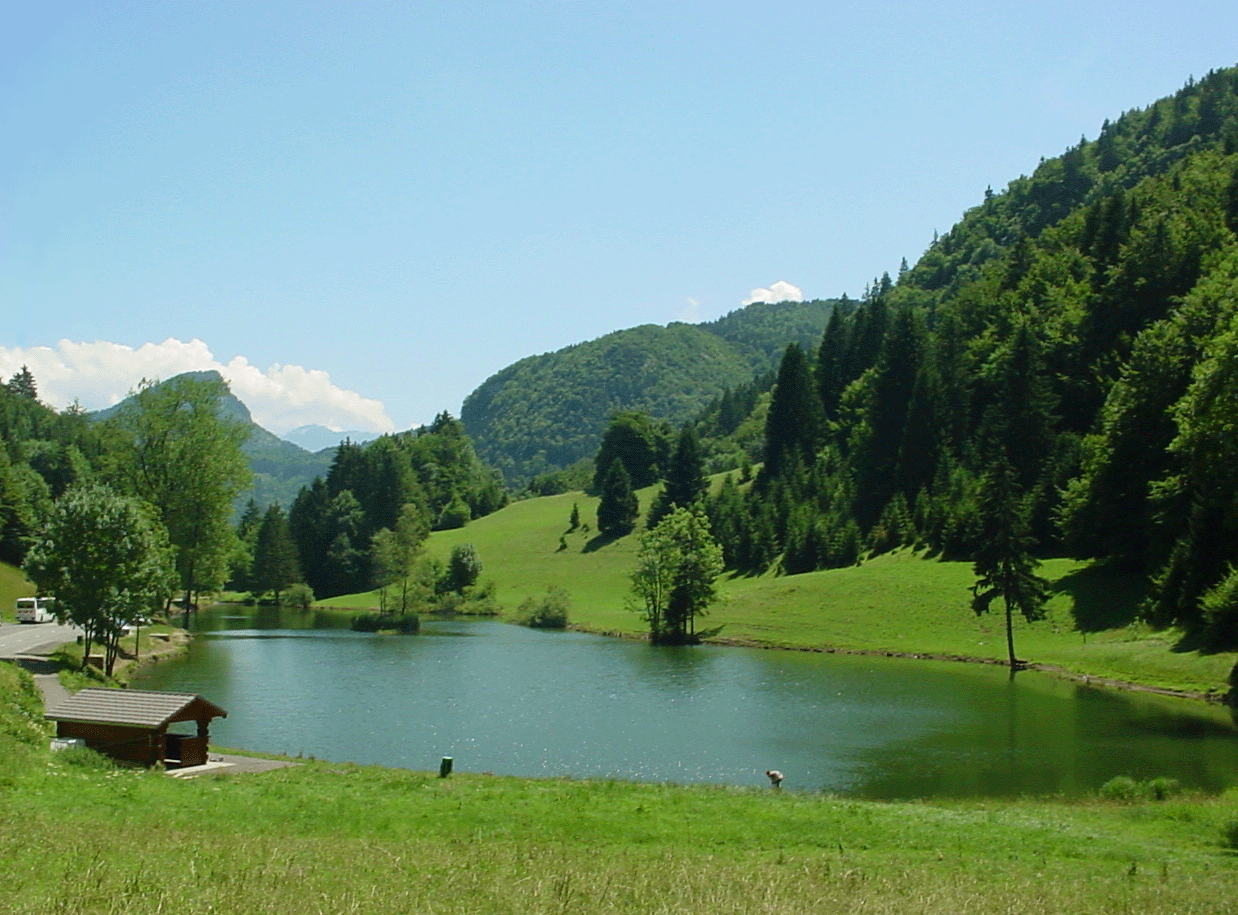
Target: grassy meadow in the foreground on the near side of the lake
(79, 838)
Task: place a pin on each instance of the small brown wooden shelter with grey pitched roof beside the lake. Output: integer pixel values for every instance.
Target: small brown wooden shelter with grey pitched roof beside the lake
(132, 726)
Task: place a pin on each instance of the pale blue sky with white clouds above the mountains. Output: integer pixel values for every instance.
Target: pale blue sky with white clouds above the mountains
(358, 212)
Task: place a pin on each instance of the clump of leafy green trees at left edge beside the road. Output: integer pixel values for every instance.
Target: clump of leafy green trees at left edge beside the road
(117, 518)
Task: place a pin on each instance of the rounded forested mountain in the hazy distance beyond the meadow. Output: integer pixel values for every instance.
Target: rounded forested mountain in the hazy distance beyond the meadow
(548, 412)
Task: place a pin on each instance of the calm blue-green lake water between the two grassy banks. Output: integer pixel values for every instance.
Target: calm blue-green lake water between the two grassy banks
(516, 701)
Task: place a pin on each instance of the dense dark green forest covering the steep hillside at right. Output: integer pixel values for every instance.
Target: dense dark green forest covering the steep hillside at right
(1076, 334)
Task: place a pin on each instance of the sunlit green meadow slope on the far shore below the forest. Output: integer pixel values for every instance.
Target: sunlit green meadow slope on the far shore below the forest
(898, 602)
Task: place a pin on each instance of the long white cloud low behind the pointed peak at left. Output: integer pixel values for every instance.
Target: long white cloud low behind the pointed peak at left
(280, 398)
